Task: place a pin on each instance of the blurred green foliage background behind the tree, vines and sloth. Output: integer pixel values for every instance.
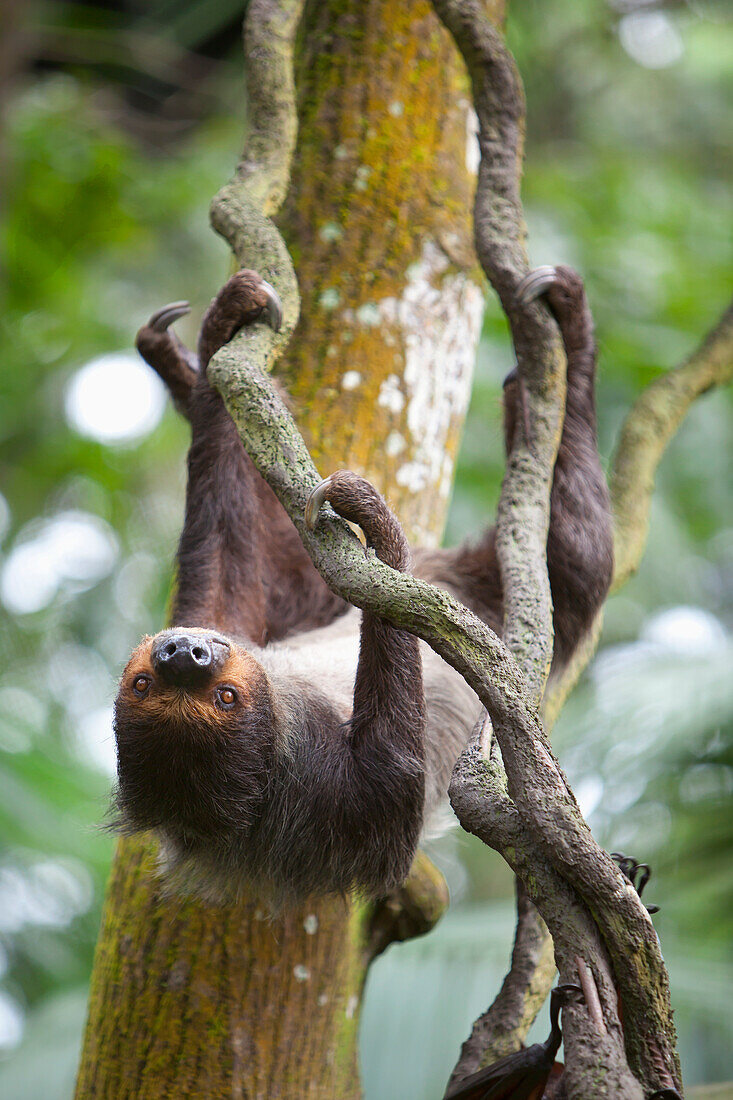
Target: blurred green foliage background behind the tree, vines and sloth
(627, 180)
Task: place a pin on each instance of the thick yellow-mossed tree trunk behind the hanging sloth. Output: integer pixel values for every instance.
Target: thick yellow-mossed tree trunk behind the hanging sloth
(200, 1003)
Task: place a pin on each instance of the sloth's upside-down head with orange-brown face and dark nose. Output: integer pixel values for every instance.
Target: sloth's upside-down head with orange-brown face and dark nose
(195, 736)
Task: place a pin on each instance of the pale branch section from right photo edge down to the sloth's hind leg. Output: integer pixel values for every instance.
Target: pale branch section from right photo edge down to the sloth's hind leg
(648, 431)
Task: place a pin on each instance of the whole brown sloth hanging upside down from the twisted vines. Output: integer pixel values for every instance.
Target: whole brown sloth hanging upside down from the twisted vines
(277, 740)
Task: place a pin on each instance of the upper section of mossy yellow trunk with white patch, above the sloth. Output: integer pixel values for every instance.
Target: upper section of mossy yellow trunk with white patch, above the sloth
(379, 227)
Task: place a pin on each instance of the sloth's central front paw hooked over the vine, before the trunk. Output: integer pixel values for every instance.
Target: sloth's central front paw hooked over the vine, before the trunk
(356, 500)
